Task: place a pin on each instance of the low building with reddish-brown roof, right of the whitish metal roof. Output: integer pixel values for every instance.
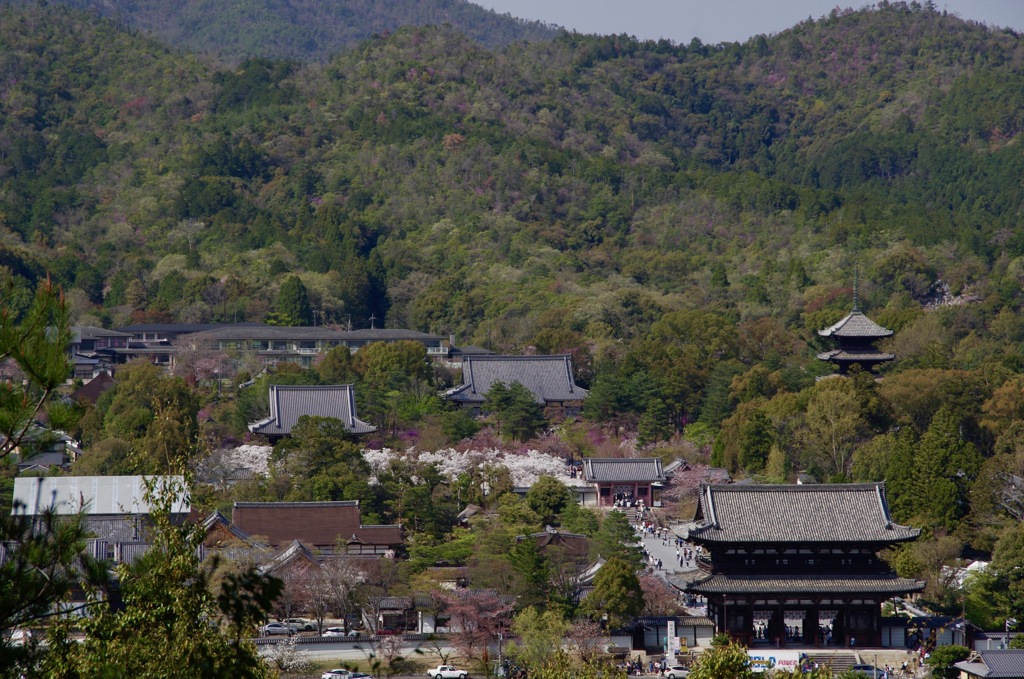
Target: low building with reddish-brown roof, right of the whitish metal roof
(321, 526)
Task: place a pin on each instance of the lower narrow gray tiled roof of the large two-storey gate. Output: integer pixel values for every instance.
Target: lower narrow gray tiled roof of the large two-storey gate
(879, 584)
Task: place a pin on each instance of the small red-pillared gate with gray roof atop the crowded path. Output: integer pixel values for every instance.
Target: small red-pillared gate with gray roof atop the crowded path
(625, 482)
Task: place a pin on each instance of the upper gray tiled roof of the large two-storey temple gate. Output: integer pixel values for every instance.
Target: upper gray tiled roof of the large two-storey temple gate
(771, 514)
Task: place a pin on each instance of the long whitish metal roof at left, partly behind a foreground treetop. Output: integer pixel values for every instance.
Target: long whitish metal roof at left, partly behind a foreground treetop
(99, 495)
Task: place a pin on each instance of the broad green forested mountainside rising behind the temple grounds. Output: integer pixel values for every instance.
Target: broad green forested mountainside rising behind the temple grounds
(612, 179)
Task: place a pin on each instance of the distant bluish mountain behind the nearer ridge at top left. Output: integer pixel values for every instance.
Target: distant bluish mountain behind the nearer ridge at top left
(305, 30)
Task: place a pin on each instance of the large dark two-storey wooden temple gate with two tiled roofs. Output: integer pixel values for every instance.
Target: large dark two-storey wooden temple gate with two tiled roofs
(798, 553)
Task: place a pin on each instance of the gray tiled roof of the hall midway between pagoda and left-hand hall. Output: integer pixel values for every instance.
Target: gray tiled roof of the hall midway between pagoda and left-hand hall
(549, 378)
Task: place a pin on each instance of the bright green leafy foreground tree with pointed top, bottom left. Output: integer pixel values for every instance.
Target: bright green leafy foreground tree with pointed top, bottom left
(168, 622)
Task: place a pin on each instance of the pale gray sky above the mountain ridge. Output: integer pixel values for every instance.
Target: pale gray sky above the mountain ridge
(718, 21)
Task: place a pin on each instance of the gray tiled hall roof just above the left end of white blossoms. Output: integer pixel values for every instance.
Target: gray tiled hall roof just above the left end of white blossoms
(289, 403)
